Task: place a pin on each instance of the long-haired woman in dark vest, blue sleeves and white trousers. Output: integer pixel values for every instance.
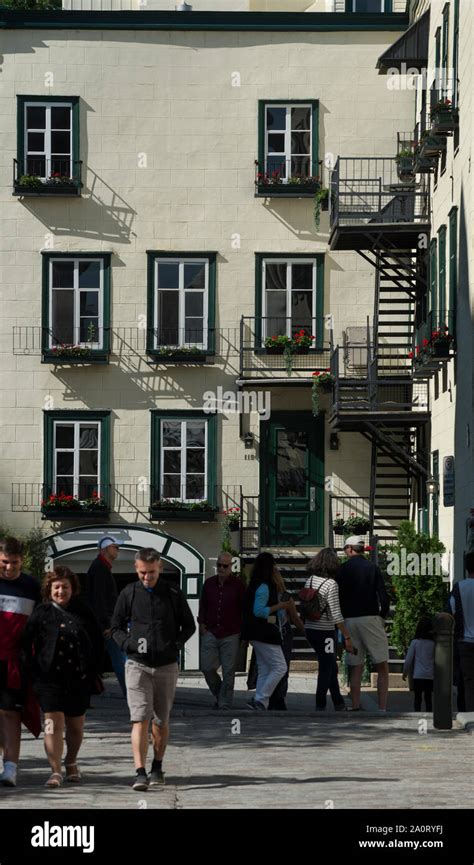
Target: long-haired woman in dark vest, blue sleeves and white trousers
(261, 627)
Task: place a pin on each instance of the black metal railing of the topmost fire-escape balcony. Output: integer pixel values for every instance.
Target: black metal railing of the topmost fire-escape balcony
(368, 190)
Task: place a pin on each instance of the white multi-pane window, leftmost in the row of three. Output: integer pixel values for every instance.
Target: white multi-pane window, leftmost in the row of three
(76, 302)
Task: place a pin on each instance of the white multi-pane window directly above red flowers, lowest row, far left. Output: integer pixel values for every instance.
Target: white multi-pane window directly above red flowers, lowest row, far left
(76, 458)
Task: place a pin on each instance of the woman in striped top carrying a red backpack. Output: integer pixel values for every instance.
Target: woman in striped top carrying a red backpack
(319, 607)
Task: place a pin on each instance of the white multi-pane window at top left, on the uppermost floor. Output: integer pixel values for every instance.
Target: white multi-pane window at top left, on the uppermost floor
(48, 139)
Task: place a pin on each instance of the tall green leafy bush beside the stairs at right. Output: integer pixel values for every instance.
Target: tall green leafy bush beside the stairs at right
(416, 595)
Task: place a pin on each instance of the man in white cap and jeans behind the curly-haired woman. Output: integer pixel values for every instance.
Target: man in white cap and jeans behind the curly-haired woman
(102, 596)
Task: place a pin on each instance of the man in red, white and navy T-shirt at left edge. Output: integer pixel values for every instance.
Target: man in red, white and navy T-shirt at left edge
(19, 594)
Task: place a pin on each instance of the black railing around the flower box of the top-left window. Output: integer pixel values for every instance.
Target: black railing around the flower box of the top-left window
(37, 175)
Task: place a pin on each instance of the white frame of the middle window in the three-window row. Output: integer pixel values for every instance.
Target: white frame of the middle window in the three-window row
(182, 343)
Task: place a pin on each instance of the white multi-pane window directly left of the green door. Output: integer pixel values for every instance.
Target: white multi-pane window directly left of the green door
(183, 459)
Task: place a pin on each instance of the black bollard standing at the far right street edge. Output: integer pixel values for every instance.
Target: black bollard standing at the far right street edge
(443, 626)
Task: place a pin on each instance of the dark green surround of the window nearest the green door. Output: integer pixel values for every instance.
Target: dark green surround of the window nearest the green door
(157, 415)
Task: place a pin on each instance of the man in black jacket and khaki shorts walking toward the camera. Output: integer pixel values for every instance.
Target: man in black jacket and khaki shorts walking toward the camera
(151, 623)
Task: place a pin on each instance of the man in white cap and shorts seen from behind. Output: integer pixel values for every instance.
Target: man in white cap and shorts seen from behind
(364, 604)
